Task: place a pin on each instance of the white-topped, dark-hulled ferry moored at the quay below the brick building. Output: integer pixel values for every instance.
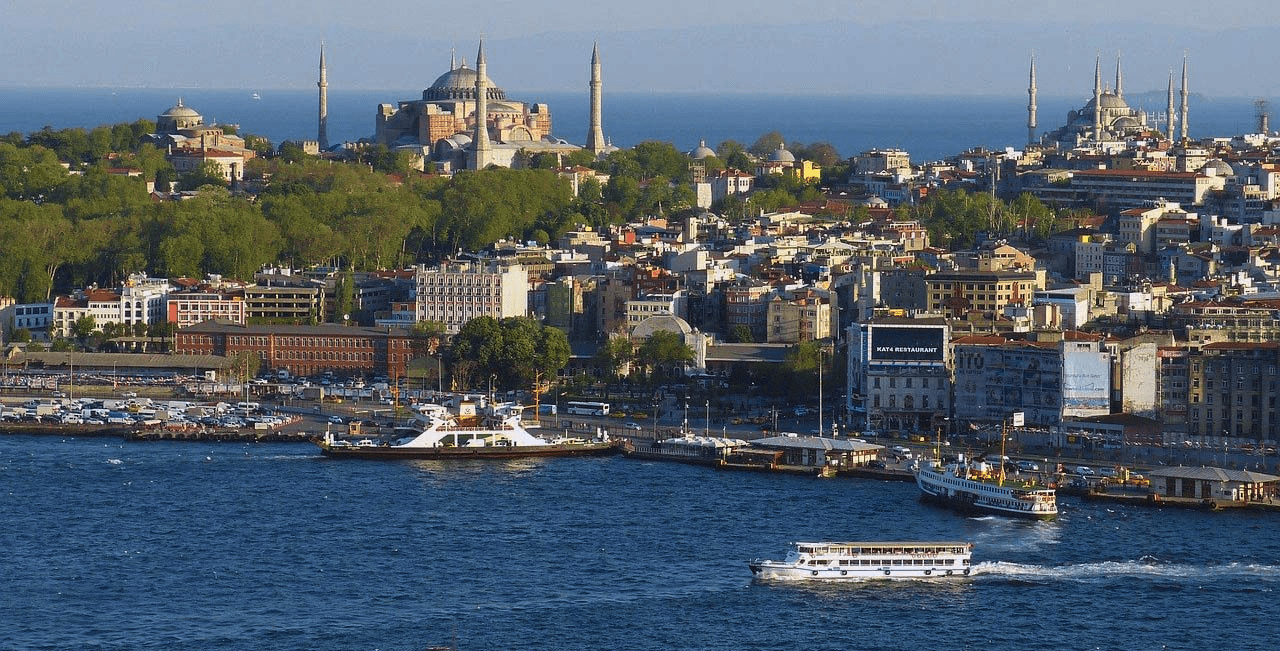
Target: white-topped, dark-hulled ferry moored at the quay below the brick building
(438, 434)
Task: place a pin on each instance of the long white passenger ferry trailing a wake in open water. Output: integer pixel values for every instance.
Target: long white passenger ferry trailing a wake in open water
(868, 561)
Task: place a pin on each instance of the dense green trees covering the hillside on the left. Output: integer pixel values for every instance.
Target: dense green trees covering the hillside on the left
(66, 228)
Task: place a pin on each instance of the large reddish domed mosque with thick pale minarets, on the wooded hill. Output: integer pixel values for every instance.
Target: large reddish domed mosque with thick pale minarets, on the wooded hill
(444, 129)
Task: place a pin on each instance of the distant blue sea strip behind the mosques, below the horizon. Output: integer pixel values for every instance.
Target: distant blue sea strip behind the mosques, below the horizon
(927, 127)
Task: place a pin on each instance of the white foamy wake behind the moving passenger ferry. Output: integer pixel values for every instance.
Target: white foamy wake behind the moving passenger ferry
(1146, 567)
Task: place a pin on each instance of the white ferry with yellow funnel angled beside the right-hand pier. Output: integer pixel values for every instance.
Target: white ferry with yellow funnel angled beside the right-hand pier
(972, 487)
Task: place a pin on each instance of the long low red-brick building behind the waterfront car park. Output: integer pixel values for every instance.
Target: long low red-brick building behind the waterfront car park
(346, 351)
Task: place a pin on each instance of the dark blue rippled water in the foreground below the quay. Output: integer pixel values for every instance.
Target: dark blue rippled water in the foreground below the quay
(115, 545)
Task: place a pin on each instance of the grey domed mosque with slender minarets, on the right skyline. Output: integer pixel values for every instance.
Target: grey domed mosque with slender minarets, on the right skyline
(1107, 117)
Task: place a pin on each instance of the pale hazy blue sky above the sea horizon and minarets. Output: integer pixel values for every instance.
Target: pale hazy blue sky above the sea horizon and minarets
(747, 47)
